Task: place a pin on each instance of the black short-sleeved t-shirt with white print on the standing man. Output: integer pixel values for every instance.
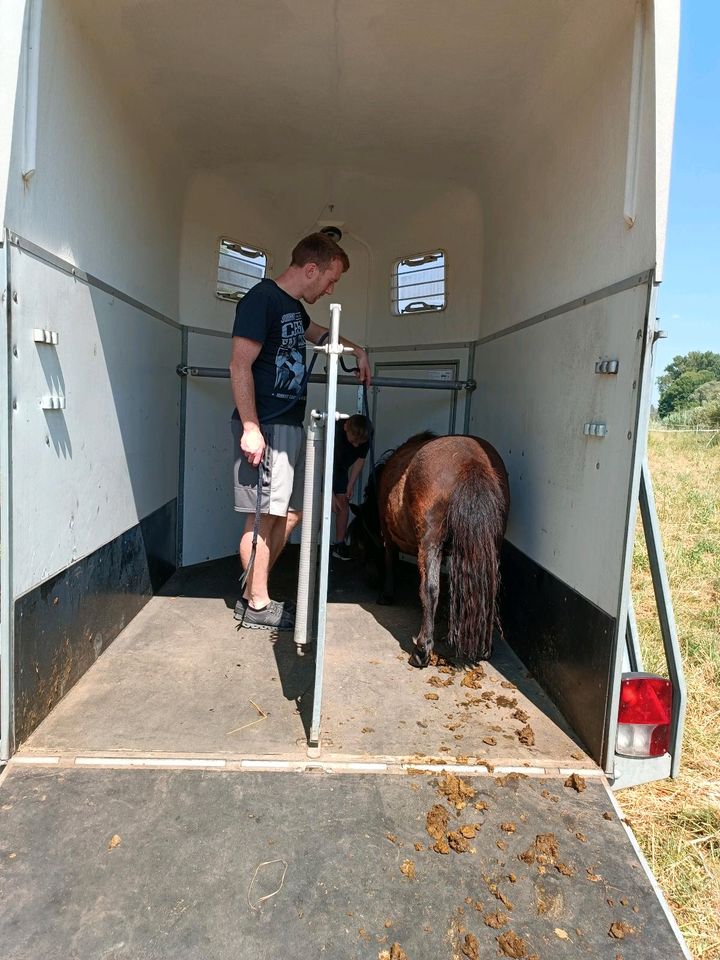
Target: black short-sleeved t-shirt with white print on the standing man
(278, 321)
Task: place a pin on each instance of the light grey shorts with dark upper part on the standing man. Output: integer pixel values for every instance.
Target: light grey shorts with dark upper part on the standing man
(283, 471)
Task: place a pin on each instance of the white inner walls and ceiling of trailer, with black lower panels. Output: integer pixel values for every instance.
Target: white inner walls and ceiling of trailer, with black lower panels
(529, 141)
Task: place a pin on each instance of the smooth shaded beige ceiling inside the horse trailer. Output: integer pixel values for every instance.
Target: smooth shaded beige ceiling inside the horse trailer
(410, 85)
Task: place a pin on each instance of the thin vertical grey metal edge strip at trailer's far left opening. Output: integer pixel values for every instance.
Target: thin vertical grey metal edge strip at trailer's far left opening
(7, 615)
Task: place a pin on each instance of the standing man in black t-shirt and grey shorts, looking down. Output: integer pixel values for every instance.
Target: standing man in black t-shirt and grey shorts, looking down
(267, 371)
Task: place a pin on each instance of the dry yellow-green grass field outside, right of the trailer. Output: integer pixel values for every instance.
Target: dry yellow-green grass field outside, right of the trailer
(677, 822)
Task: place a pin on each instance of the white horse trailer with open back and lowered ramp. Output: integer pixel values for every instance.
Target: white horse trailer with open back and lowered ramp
(498, 173)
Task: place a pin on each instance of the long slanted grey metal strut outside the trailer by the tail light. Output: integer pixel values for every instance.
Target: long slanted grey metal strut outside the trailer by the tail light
(665, 613)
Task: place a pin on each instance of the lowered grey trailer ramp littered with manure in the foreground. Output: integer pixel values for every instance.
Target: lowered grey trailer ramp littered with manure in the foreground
(226, 864)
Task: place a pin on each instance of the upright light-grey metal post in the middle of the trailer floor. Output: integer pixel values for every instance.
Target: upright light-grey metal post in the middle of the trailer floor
(333, 350)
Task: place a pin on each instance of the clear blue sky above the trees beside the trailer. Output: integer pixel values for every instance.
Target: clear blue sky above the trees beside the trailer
(689, 296)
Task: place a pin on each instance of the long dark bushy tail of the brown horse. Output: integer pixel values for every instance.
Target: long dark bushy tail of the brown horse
(476, 523)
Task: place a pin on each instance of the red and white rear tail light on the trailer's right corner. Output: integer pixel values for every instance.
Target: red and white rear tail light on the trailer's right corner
(644, 716)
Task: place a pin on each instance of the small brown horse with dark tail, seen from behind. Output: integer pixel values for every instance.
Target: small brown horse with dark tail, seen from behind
(435, 495)
